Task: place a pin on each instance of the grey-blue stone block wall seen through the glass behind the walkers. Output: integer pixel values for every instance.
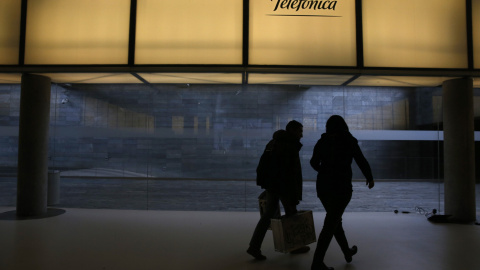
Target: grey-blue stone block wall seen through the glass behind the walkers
(219, 131)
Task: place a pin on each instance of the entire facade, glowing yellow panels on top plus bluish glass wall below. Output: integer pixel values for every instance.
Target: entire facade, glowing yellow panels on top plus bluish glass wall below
(169, 104)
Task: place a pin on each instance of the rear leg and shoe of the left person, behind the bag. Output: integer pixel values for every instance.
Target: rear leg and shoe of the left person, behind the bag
(262, 226)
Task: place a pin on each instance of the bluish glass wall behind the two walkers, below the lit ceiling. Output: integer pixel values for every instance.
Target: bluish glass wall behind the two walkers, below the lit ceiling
(196, 147)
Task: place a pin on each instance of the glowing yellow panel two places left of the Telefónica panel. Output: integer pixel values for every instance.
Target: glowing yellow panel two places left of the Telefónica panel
(77, 32)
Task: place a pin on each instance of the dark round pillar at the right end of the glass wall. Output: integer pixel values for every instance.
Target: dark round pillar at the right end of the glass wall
(459, 150)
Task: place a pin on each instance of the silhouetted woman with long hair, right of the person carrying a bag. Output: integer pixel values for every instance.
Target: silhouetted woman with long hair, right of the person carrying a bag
(332, 159)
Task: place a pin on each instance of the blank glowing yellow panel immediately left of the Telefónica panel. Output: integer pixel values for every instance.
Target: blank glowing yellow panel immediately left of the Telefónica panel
(189, 32)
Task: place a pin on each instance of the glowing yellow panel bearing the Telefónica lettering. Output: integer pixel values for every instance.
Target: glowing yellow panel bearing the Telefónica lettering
(320, 33)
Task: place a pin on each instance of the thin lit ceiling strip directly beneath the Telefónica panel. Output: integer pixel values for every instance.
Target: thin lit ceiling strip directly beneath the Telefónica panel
(297, 79)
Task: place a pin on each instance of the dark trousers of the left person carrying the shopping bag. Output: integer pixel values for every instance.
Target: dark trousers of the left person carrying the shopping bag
(271, 208)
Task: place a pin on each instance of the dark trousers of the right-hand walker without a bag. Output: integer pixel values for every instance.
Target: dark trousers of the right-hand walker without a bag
(334, 204)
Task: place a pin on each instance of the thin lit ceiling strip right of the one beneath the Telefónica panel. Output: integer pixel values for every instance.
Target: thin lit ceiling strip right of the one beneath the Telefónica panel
(400, 81)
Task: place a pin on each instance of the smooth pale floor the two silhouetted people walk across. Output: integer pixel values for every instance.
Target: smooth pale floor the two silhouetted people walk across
(171, 240)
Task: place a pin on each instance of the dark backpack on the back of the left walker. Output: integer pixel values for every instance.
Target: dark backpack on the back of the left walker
(266, 169)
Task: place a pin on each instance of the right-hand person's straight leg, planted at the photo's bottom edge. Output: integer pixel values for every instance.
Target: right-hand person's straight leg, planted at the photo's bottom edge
(334, 206)
